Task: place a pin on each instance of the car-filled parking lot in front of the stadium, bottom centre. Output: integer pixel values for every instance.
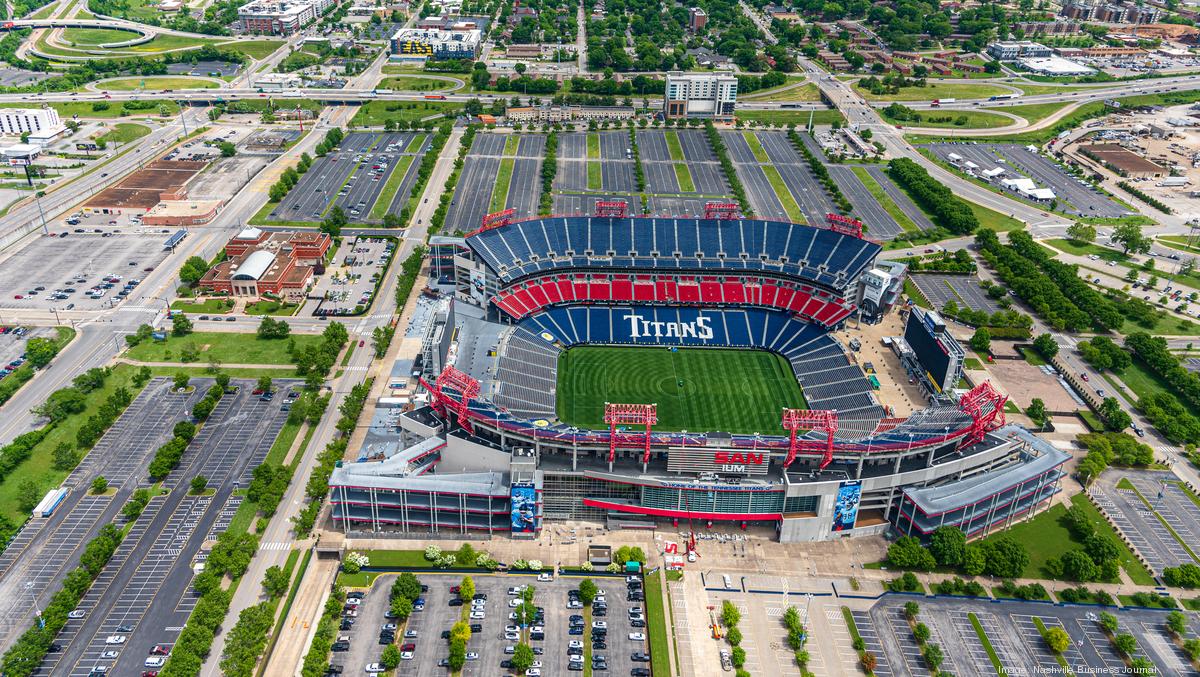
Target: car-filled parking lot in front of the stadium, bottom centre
(488, 644)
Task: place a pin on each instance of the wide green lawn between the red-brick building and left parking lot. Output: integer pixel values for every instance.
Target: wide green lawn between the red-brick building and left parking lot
(224, 348)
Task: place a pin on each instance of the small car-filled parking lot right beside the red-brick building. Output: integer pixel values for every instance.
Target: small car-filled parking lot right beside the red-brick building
(350, 283)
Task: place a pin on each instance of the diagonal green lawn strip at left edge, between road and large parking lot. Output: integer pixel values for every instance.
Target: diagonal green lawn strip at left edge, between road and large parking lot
(40, 466)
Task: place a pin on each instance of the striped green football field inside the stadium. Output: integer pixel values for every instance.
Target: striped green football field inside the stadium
(697, 390)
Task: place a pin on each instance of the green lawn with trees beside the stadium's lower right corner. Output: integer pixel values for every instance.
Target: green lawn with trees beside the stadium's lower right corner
(1046, 536)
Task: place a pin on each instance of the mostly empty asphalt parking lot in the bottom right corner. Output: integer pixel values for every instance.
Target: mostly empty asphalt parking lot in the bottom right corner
(1013, 634)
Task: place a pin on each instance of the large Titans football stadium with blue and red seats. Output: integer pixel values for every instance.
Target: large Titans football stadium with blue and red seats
(640, 372)
